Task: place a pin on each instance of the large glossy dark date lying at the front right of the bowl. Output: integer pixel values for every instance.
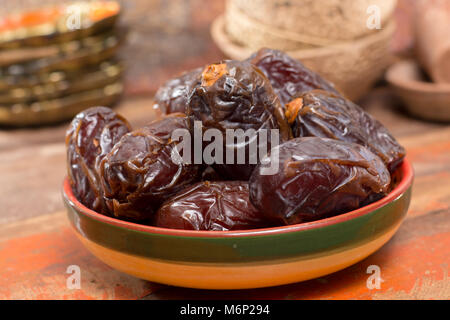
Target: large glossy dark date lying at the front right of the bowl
(318, 178)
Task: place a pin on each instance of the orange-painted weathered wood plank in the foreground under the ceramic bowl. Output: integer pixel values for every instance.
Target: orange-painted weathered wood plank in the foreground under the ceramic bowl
(35, 254)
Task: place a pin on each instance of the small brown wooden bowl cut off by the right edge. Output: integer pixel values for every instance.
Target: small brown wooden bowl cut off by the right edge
(426, 100)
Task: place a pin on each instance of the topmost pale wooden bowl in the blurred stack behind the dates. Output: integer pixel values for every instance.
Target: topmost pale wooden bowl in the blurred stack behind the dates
(313, 22)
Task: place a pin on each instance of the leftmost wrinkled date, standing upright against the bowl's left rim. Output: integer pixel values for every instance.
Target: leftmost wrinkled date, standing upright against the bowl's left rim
(90, 136)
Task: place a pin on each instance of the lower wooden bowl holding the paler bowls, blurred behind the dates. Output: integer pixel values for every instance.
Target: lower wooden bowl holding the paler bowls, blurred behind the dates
(352, 66)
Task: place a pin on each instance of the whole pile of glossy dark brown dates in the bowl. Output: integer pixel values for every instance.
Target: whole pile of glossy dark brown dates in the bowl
(269, 143)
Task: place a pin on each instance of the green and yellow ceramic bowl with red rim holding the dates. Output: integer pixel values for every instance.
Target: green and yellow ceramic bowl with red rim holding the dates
(242, 259)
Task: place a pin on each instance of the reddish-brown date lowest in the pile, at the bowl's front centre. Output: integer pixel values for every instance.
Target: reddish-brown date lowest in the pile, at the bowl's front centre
(219, 206)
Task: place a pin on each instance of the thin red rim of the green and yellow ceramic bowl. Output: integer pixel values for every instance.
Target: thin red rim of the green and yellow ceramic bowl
(403, 185)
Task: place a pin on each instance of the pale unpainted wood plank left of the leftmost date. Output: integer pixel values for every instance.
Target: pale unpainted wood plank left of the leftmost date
(31, 181)
